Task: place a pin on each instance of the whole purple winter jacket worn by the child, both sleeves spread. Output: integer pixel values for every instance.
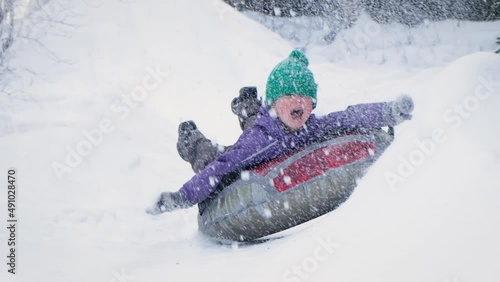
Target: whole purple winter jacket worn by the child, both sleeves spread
(268, 139)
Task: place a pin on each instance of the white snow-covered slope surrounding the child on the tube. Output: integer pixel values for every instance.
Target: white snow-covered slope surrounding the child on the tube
(90, 124)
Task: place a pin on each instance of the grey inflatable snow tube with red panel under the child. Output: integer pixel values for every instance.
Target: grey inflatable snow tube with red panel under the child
(290, 190)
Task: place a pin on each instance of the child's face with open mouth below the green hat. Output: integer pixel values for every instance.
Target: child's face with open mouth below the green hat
(293, 110)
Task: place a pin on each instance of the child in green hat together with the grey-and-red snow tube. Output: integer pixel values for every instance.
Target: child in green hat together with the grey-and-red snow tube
(283, 128)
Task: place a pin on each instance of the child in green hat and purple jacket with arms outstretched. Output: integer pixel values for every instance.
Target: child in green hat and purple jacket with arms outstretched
(284, 124)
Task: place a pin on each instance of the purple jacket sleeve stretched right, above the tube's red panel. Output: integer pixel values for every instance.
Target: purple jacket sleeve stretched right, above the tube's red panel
(356, 116)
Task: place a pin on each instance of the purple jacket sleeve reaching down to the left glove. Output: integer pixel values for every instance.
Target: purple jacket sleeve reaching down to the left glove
(253, 147)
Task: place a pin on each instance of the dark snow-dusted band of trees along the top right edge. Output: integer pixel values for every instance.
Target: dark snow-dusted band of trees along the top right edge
(408, 12)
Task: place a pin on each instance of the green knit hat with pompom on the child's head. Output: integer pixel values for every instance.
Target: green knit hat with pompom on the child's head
(291, 76)
